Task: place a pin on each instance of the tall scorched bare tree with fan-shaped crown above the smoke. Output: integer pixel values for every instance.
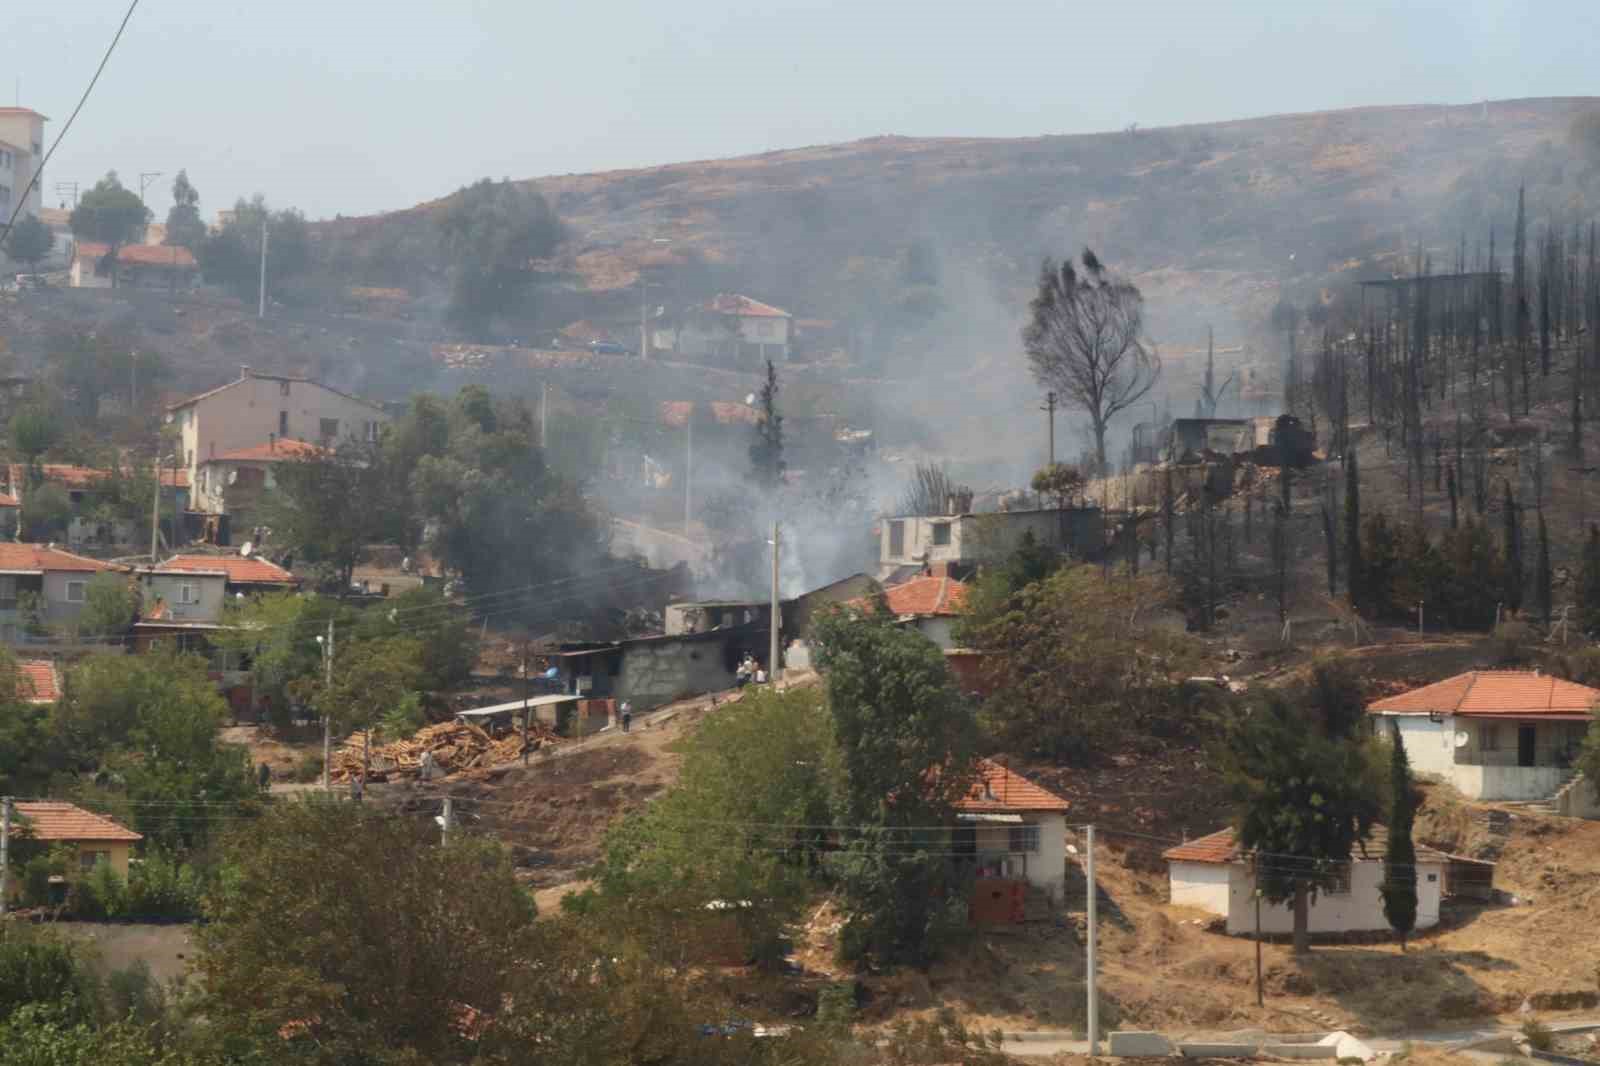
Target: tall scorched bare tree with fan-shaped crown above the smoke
(1086, 342)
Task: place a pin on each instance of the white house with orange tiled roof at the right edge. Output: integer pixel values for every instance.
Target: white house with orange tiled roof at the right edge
(1495, 735)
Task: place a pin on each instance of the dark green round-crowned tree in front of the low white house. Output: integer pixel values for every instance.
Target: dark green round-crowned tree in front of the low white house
(1305, 798)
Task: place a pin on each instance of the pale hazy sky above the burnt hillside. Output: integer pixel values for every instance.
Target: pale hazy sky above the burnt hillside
(354, 106)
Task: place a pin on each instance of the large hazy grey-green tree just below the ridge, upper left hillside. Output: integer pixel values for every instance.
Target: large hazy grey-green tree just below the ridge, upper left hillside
(490, 236)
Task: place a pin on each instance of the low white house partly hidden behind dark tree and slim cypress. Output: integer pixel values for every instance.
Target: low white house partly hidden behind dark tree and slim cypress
(1214, 875)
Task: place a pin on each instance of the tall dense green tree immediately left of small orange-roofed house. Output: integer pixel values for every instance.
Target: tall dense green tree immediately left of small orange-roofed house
(906, 753)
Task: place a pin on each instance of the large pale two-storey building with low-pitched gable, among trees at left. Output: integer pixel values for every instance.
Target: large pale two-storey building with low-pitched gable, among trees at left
(257, 411)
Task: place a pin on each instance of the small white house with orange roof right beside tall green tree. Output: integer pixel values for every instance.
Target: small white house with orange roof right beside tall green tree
(1014, 830)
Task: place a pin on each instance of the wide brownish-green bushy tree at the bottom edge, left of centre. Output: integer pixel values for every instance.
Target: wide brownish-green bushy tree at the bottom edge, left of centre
(446, 936)
